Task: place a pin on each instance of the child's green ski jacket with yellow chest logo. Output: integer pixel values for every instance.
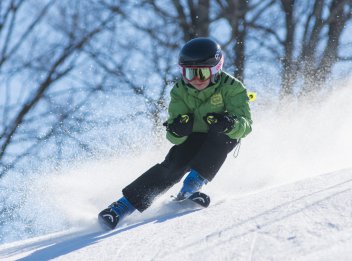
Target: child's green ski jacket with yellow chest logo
(227, 95)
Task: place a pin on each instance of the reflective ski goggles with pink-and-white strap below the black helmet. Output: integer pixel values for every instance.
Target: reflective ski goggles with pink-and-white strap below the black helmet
(202, 73)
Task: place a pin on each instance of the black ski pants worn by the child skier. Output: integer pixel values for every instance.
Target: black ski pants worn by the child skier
(203, 152)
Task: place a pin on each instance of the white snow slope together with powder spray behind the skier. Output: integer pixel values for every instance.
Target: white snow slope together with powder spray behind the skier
(286, 196)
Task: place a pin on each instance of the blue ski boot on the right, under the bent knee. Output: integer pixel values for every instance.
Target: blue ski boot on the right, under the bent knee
(192, 183)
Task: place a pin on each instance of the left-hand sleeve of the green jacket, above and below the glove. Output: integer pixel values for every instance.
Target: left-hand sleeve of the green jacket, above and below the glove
(177, 106)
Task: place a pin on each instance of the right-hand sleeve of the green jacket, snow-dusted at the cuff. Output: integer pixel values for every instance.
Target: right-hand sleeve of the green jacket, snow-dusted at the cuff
(237, 105)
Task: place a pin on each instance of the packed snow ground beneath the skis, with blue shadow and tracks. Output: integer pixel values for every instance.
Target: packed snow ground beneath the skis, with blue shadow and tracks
(305, 220)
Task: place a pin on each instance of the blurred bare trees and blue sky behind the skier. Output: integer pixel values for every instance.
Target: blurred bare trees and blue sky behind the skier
(130, 49)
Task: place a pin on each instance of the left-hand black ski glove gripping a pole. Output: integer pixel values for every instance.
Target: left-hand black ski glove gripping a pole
(181, 126)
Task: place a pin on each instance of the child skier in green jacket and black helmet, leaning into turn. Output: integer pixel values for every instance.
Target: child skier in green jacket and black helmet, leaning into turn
(208, 114)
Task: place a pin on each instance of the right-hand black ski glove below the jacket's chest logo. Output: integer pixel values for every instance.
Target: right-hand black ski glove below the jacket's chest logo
(220, 123)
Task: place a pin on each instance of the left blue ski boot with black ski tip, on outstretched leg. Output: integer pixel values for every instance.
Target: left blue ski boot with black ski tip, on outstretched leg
(111, 216)
